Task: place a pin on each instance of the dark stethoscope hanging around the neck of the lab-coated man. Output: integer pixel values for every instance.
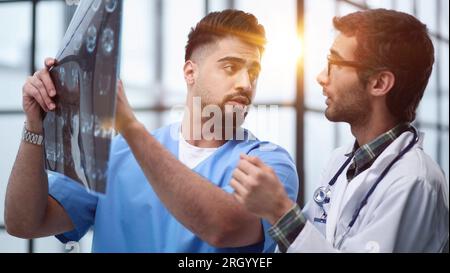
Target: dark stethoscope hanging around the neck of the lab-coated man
(323, 194)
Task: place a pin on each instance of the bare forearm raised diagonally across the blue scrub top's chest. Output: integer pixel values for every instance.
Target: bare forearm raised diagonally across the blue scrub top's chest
(204, 208)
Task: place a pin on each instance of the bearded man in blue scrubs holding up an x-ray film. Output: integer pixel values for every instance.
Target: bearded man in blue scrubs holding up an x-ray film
(167, 191)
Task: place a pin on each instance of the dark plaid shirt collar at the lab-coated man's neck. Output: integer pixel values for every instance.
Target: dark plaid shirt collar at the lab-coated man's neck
(365, 155)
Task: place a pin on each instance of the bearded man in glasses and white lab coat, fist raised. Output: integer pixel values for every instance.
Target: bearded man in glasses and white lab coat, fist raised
(384, 193)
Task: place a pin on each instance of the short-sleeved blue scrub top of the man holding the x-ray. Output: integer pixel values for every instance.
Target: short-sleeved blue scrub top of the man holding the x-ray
(131, 218)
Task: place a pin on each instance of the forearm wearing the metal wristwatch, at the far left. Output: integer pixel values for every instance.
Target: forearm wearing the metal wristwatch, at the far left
(27, 191)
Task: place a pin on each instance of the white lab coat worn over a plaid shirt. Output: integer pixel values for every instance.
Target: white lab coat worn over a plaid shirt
(407, 212)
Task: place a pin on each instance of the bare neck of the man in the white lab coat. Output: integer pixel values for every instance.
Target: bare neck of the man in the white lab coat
(368, 130)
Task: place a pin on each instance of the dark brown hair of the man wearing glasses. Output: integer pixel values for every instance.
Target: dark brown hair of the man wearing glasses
(397, 42)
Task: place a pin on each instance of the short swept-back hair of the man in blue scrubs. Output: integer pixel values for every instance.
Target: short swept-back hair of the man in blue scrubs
(234, 23)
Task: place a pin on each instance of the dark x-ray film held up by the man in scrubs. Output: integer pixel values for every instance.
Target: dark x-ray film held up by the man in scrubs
(78, 133)
